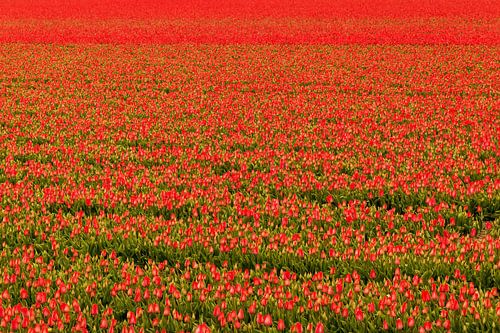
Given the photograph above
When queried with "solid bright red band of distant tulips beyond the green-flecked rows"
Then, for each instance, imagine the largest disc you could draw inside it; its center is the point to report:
(463, 22)
